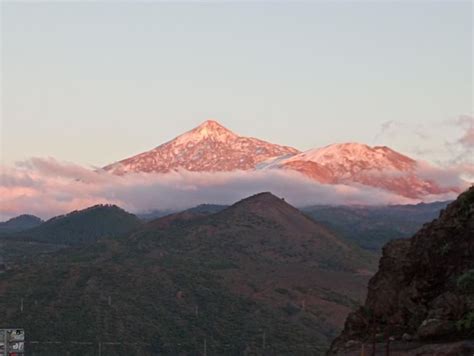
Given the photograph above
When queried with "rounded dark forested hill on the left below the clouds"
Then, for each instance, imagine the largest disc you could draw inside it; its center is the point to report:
(83, 226)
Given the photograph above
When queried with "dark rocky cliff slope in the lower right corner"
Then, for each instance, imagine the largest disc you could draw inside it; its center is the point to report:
(423, 293)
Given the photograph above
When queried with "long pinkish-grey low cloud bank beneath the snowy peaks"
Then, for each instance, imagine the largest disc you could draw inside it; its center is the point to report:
(46, 187)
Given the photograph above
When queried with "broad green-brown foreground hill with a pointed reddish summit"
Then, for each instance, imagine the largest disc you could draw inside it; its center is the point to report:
(256, 276)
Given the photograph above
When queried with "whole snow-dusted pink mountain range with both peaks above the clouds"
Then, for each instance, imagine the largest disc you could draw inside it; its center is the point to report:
(210, 147)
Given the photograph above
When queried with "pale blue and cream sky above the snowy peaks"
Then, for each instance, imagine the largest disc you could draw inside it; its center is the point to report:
(96, 82)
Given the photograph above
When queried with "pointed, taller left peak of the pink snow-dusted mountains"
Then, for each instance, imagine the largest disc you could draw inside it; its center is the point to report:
(210, 147)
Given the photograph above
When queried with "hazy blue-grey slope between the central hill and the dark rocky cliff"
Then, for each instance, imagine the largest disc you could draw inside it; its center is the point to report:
(371, 227)
